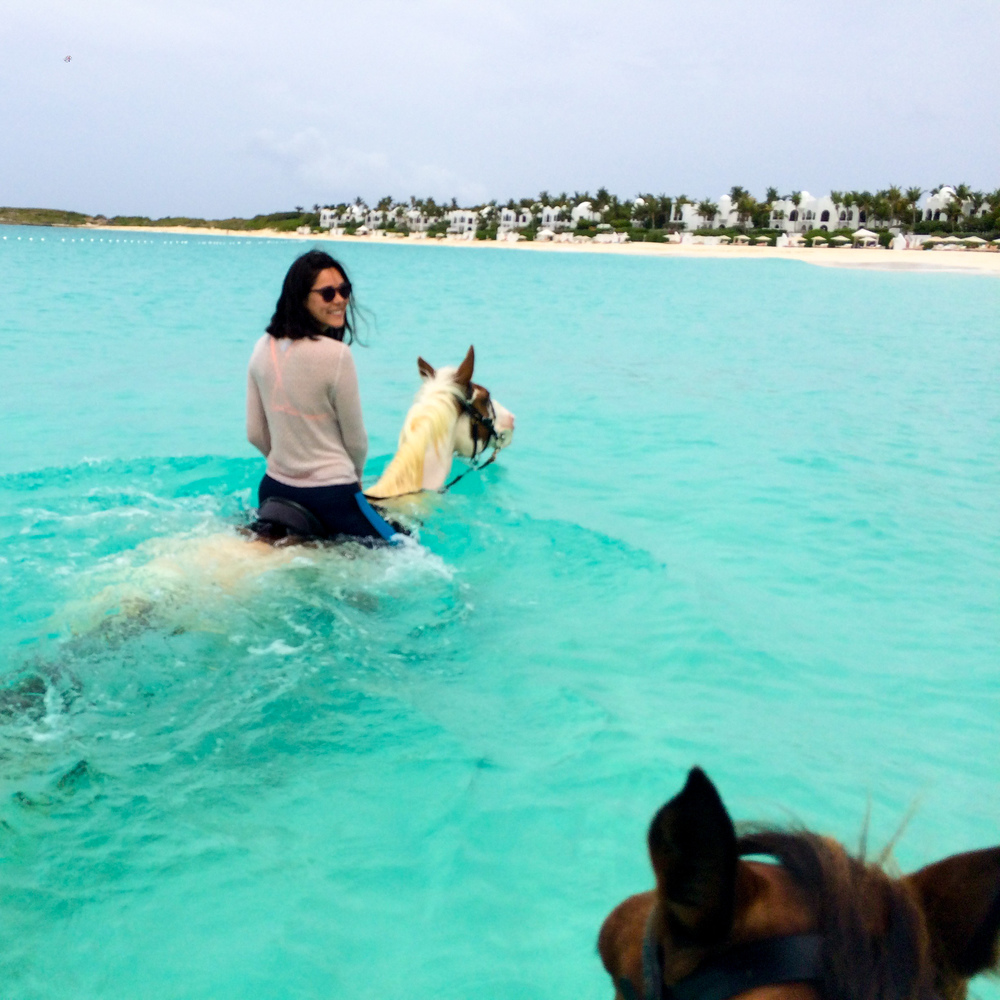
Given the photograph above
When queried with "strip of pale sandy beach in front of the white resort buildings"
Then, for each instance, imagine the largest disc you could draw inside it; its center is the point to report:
(941, 261)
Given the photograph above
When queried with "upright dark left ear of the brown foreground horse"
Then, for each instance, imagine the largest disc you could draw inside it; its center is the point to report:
(692, 845)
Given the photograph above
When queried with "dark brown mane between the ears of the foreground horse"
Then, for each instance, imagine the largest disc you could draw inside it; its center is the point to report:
(875, 941)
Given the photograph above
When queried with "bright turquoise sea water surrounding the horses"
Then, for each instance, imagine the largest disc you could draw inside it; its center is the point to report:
(750, 520)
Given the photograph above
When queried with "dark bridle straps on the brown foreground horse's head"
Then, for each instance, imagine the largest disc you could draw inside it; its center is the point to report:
(794, 958)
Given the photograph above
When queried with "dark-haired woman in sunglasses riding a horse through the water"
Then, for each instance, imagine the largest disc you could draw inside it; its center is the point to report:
(303, 405)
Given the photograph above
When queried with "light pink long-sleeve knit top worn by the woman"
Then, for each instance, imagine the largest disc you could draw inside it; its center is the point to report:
(304, 411)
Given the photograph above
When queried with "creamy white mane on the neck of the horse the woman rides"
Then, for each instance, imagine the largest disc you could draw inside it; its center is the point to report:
(428, 424)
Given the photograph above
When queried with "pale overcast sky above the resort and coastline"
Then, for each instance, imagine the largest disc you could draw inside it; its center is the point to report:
(216, 108)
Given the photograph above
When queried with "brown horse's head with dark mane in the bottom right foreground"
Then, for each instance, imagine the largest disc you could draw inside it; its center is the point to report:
(814, 922)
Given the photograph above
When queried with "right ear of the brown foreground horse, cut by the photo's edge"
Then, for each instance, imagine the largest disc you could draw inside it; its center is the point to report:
(961, 901)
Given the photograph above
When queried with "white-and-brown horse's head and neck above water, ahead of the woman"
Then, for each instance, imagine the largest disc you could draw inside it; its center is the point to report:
(451, 415)
